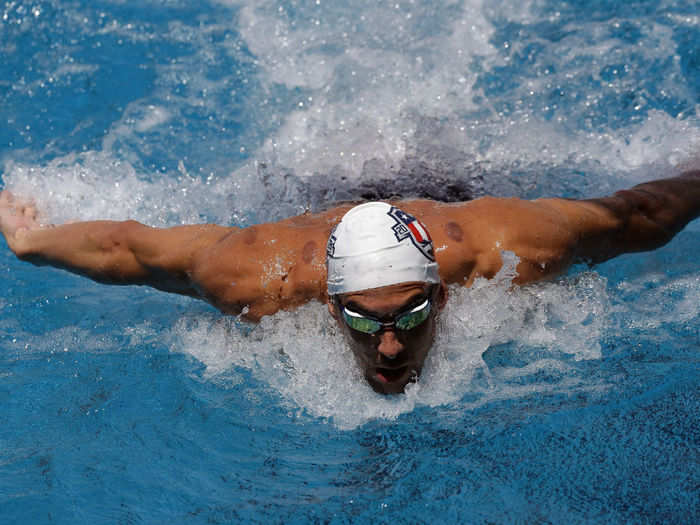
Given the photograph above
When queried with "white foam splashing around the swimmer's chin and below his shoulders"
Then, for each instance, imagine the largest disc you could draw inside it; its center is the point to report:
(314, 371)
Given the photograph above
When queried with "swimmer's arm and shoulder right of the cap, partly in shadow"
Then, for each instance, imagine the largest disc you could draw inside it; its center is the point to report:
(549, 235)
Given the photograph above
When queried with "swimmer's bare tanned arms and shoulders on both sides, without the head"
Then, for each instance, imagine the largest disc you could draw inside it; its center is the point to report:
(265, 268)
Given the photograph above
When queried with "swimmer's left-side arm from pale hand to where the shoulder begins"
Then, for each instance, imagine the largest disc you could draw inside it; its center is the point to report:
(107, 251)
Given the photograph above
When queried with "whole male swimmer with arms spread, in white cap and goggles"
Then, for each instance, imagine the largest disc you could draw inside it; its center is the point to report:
(382, 268)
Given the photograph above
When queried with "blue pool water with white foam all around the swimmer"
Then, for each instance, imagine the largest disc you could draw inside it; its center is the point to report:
(574, 401)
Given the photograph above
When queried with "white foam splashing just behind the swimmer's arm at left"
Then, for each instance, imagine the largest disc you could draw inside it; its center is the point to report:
(96, 185)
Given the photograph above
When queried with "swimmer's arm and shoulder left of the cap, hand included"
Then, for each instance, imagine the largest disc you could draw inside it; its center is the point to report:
(255, 271)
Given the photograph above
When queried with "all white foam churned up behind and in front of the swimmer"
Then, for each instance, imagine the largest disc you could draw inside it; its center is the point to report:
(374, 82)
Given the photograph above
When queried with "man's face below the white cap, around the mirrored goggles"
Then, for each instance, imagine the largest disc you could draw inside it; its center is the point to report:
(390, 358)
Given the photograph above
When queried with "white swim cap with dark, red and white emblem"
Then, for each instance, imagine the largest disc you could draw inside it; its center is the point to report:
(376, 244)
